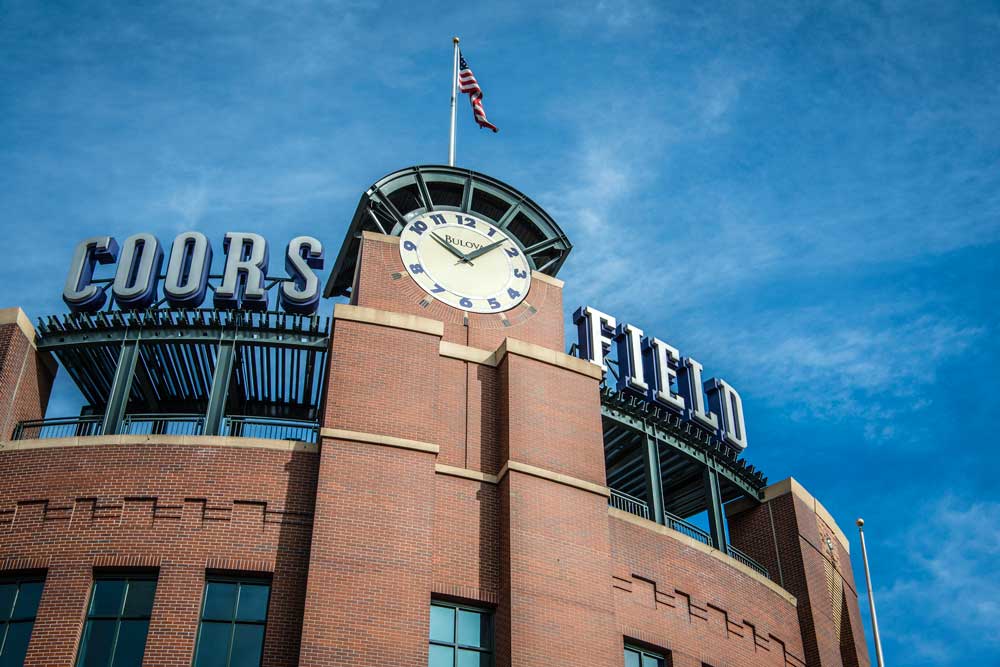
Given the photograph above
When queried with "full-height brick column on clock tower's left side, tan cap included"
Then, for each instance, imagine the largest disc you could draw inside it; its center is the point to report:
(371, 562)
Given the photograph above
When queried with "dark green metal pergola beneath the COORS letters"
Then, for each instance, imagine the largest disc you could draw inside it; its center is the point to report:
(202, 362)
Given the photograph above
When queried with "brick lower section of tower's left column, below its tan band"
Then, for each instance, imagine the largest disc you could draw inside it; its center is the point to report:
(371, 566)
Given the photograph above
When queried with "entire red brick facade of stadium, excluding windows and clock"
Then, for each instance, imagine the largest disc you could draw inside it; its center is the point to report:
(461, 459)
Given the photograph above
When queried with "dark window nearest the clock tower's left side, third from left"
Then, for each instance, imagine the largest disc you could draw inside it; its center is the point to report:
(233, 617)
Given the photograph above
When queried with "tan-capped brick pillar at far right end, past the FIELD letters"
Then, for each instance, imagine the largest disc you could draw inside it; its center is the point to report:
(796, 538)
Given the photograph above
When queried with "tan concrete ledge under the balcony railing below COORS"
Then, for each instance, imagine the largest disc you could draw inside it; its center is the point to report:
(183, 440)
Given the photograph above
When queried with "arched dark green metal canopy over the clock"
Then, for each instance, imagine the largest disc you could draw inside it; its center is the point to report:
(394, 200)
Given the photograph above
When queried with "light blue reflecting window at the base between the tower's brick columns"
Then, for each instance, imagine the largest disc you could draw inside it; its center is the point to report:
(460, 636)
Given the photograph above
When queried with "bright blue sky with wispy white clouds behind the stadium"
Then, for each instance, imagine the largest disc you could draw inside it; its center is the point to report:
(803, 196)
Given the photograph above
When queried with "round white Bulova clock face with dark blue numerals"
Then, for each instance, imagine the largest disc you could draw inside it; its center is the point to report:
(465, 262)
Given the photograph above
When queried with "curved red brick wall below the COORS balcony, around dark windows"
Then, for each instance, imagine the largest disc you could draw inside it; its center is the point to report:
(179, 508)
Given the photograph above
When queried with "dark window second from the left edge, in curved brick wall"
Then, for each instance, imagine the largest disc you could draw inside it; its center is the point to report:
(117, 621)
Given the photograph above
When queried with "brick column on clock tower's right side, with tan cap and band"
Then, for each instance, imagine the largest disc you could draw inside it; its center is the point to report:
(556, 606)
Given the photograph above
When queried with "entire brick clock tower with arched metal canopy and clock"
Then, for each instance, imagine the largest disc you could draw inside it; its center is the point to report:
(469, 442)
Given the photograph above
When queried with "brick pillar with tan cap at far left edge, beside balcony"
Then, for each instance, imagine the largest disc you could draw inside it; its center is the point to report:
(26, 375)
